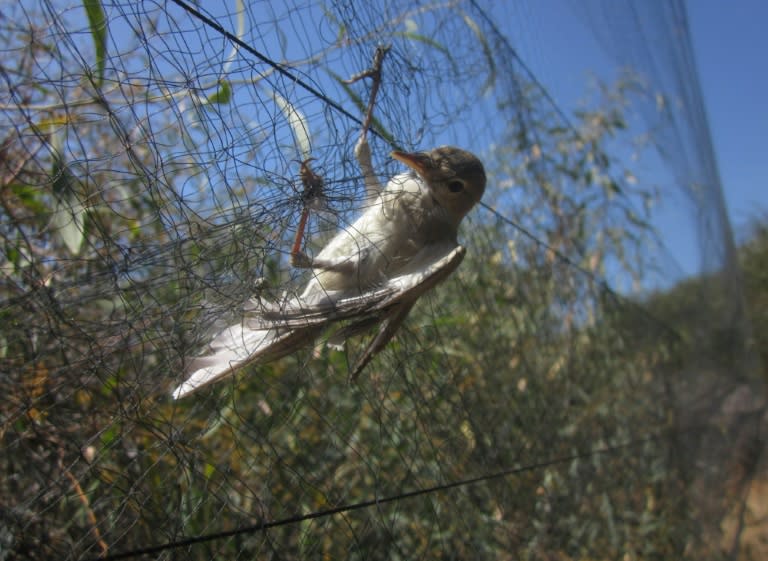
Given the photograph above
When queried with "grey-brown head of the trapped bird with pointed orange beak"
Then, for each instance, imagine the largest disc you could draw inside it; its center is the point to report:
(455, 177)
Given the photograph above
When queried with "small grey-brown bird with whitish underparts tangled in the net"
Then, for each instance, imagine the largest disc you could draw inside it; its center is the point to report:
(370, 274)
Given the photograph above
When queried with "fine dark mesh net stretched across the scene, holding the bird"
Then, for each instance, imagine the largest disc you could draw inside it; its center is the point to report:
(563, 395)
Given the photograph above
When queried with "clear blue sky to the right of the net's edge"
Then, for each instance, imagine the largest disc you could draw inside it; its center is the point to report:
(730, 45)
